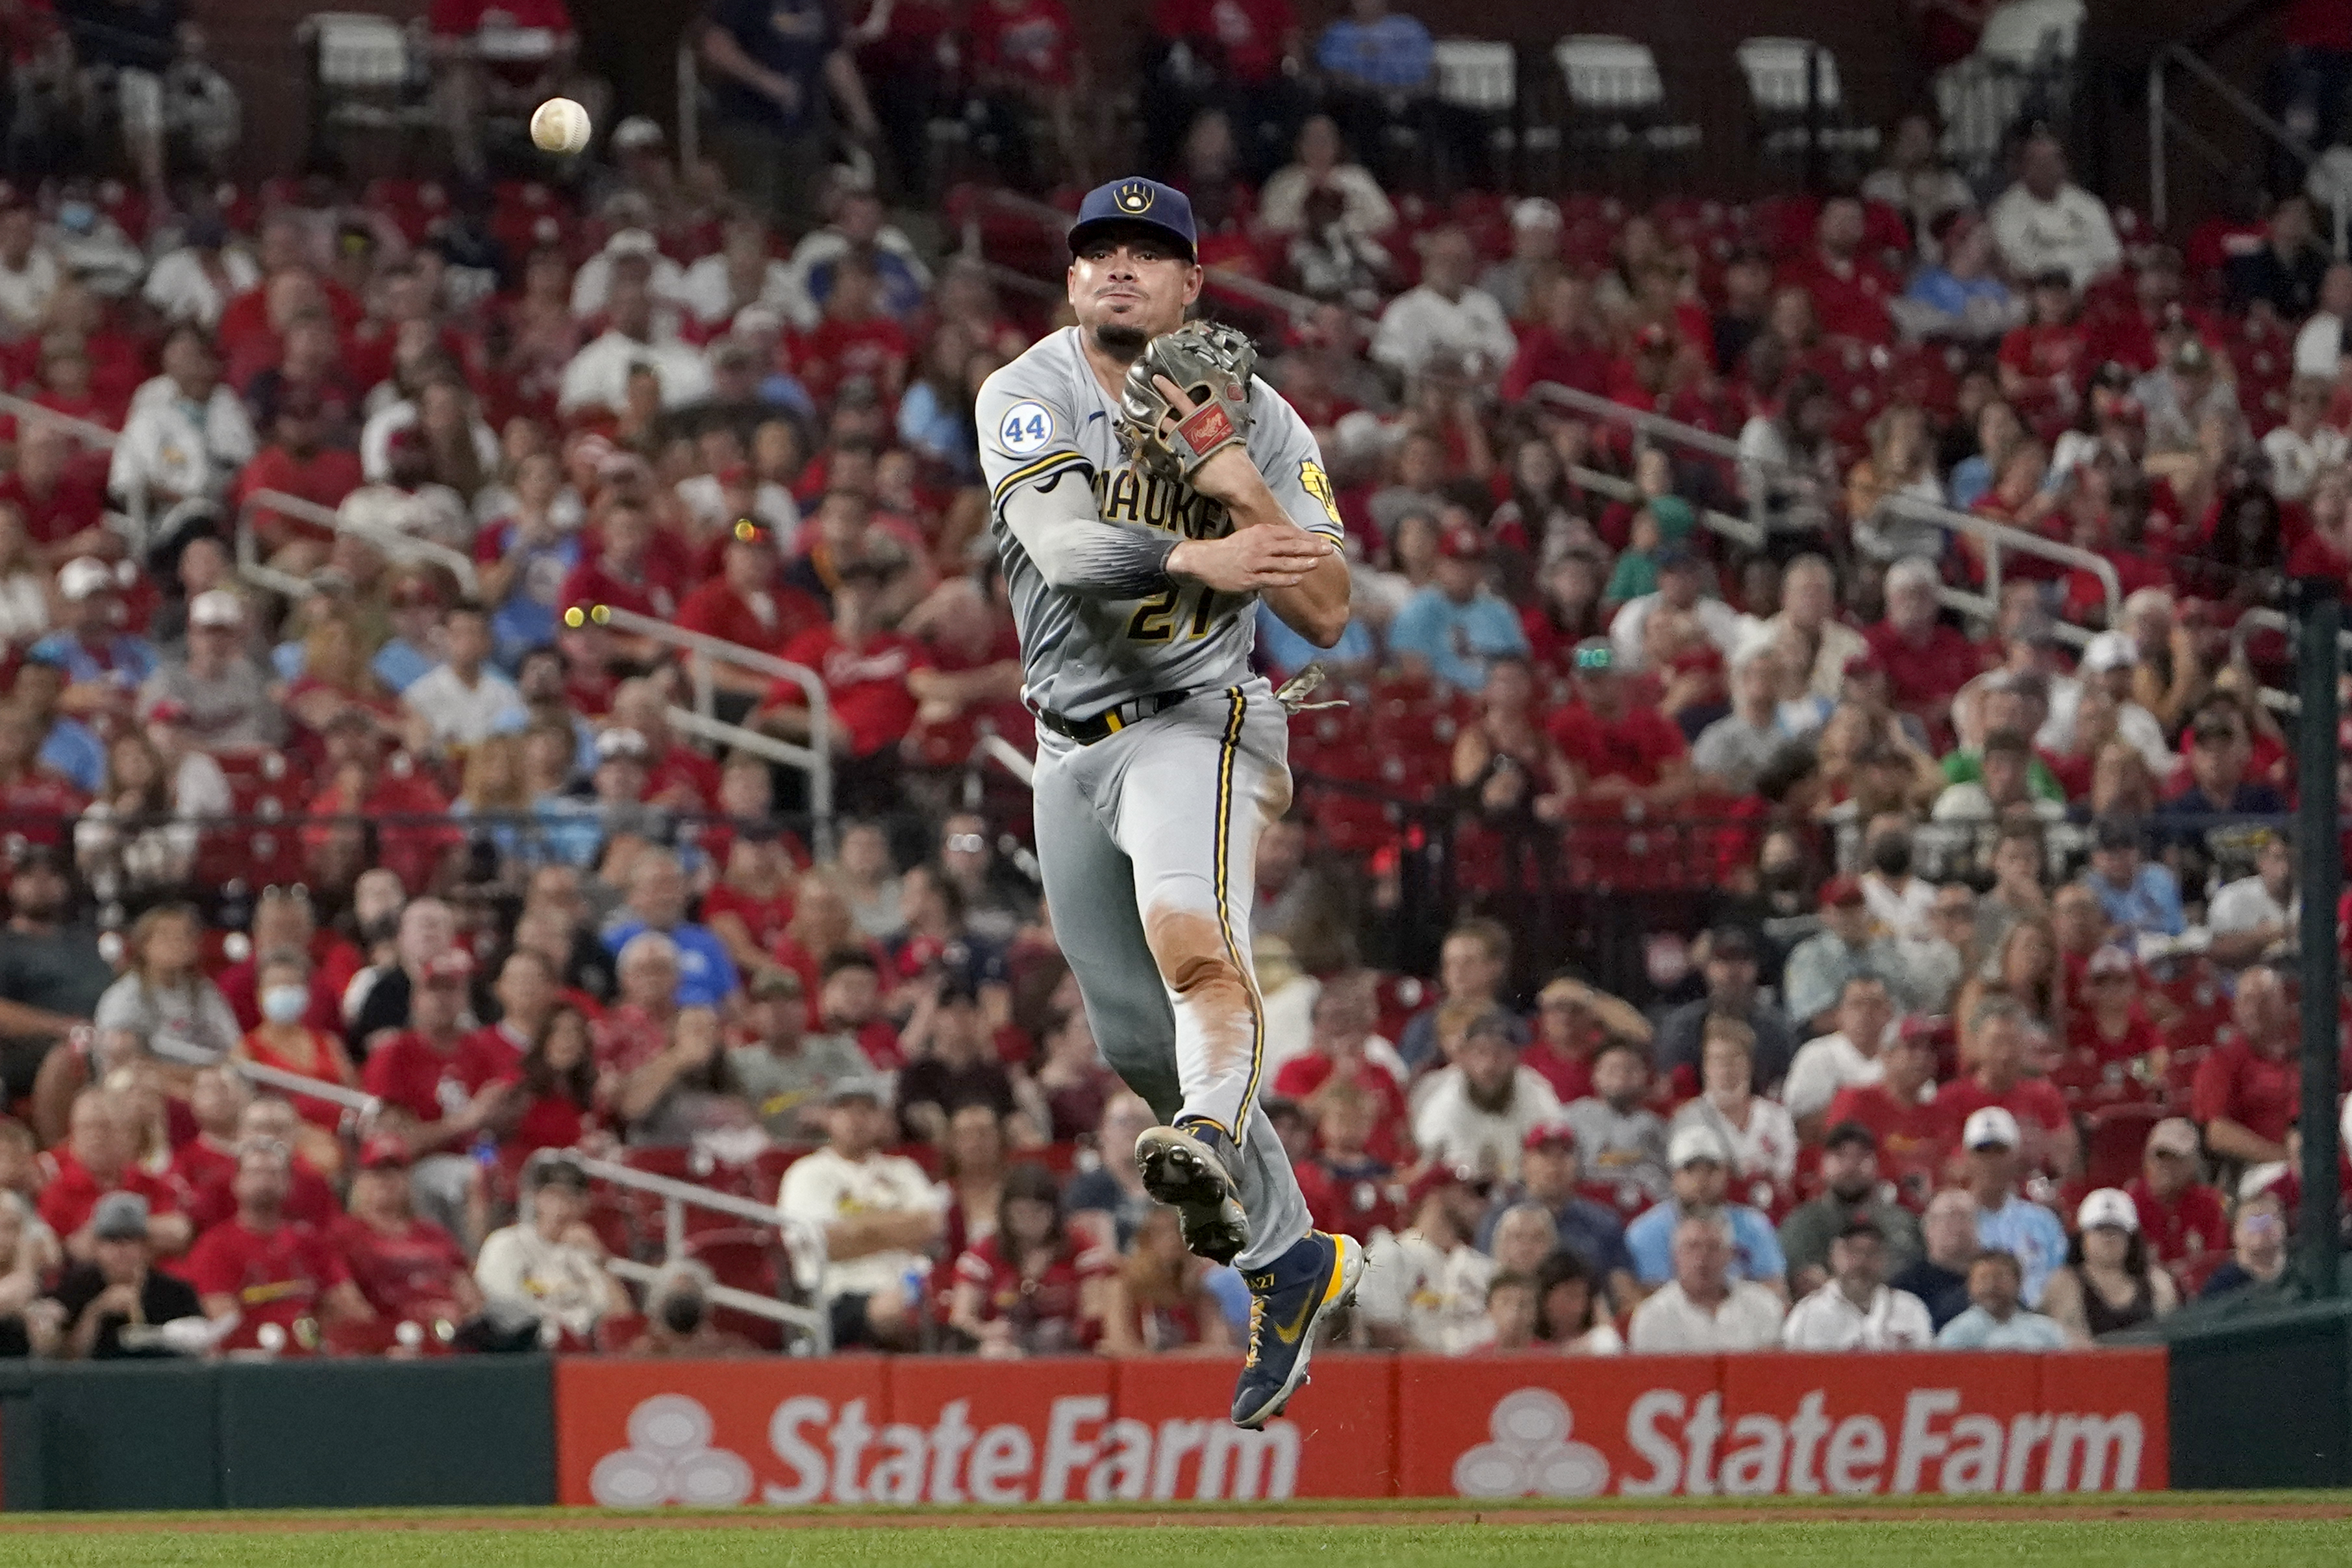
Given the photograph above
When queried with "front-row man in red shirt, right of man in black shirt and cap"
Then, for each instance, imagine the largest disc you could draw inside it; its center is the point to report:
(269, 1271)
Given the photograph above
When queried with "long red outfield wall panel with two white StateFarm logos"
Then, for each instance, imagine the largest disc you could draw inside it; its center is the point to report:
(1085, 1430)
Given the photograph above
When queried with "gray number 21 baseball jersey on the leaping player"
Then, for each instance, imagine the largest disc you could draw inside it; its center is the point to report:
(1048, 422)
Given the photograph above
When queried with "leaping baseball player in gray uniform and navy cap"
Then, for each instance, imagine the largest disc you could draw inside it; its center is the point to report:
(1147, 492)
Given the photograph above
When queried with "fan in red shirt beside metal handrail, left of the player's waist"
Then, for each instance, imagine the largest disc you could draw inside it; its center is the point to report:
(867, 681)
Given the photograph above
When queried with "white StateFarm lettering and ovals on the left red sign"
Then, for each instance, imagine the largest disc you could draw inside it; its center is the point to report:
(820, 1452)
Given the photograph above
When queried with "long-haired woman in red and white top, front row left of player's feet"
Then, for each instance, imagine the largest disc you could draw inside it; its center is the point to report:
(1031, 1289)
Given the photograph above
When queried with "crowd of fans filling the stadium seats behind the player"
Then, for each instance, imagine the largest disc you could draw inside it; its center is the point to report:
(1958, 1005)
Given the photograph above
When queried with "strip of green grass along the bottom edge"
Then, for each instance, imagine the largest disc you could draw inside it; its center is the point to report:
(2193, 1532)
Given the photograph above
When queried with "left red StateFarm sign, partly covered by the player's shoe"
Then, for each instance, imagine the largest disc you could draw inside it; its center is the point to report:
(961, 1430)
